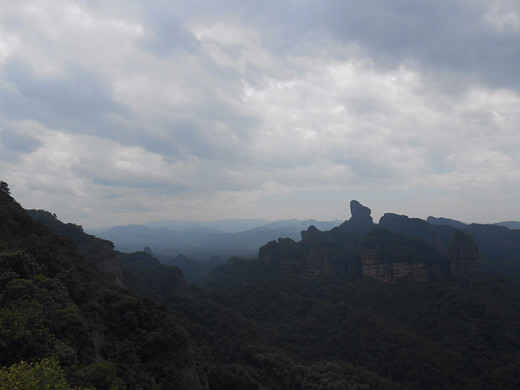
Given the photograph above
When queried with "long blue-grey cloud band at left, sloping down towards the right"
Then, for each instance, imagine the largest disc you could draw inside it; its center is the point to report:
(80, 101)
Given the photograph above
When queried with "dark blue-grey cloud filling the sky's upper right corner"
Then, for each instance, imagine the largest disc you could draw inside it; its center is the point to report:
(449, 35)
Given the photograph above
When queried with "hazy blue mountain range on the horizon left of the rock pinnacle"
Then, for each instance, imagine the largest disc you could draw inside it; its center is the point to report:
(203, 240)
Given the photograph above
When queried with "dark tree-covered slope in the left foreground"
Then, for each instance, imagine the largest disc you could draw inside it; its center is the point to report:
(63, 297)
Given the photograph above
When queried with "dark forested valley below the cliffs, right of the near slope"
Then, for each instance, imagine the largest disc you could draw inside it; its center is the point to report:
(456, 332)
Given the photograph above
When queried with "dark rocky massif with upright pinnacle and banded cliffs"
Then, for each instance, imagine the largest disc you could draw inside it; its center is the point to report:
(398, 247)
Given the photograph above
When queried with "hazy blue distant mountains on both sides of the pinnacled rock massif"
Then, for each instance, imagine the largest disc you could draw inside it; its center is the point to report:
(176, 242)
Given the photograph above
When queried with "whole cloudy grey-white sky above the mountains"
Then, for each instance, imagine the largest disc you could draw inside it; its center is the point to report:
(122, 112)
